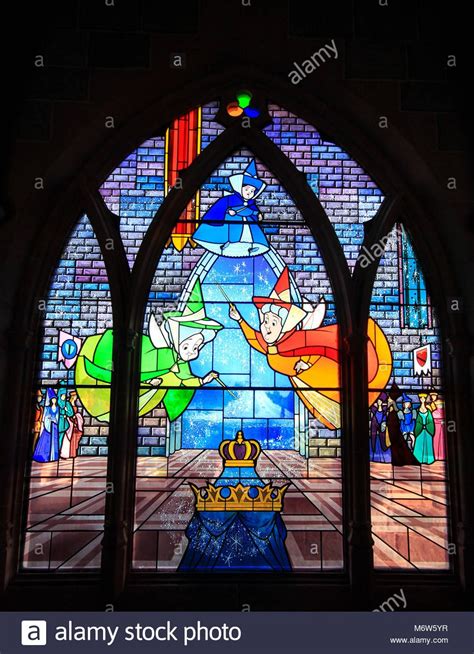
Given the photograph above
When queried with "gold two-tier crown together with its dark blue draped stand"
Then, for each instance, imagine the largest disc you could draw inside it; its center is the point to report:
(237, 523)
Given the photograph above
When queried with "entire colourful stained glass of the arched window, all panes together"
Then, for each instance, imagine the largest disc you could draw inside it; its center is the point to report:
(239, 410)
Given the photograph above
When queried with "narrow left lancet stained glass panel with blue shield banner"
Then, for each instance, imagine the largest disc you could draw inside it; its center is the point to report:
(67, 473)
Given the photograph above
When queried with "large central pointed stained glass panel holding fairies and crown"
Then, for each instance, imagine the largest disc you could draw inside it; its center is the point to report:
(251, 266)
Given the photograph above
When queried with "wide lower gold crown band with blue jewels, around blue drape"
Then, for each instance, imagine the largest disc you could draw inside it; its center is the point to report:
(239, 497)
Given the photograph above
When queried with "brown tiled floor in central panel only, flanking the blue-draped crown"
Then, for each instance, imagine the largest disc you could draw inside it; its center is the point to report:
(312, 507)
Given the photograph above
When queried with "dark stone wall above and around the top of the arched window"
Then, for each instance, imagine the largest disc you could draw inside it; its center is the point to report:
(112, 59)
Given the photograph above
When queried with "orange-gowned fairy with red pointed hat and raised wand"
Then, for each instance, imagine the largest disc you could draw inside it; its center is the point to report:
(295, 345)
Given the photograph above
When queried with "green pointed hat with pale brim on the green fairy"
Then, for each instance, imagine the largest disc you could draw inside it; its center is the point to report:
(193, 318)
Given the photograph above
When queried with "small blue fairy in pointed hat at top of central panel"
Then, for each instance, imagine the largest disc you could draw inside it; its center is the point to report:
(229, 227)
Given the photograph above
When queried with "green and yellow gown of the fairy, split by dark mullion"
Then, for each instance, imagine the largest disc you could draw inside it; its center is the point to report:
(94, 368)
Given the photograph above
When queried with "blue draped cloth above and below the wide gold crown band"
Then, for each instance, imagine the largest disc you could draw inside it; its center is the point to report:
(227, 541)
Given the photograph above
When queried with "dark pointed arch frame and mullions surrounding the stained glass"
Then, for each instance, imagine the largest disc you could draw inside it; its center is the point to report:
(417, 204)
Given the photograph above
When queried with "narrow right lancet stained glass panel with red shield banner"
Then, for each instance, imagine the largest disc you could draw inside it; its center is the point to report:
(407, 422)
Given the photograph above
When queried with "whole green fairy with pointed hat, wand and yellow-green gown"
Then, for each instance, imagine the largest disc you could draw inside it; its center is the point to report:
(165, 374)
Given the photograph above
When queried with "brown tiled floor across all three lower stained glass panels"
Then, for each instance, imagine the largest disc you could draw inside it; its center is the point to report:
(65, 520)
